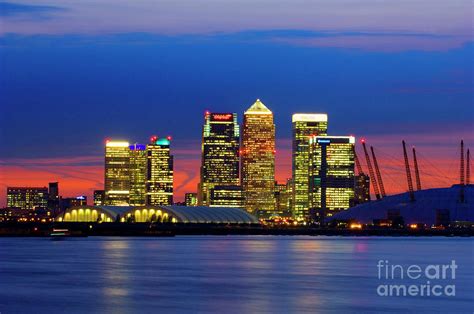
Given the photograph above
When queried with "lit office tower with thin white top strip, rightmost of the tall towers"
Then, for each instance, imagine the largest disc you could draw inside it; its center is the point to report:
(331, 175)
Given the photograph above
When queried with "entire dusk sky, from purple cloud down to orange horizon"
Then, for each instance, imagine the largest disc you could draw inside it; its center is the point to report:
(73, 73)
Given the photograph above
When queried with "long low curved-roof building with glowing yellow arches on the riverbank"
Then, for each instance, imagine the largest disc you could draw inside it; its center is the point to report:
(173, 214)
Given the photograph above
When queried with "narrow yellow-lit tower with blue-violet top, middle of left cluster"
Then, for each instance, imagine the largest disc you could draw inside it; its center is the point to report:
(138, 172)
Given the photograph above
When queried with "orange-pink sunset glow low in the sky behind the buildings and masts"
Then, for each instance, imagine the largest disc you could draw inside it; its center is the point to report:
(439, 167)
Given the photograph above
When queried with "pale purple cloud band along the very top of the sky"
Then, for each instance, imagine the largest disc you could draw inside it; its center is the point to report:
(374, 25)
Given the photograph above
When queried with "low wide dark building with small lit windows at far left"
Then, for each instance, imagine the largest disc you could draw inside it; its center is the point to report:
(27, 198)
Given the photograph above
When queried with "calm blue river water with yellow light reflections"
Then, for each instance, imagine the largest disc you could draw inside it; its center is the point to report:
(233, 274)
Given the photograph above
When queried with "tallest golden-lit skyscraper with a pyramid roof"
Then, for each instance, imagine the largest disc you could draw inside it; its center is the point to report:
(258, 159)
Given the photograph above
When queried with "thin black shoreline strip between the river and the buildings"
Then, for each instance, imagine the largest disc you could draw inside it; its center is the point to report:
(33, 229)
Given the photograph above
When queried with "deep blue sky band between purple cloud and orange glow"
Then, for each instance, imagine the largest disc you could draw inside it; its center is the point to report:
(80, 89)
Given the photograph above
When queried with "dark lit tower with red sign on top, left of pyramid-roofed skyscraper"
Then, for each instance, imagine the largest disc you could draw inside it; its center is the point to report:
(220, 154)
